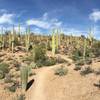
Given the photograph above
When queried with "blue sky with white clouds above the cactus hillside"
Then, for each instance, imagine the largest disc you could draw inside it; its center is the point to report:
(70, 16)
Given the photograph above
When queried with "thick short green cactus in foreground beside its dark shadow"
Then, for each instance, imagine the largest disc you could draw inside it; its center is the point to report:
(24, 77)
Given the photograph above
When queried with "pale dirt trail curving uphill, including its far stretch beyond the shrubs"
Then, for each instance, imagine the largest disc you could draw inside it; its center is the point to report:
(37, 91)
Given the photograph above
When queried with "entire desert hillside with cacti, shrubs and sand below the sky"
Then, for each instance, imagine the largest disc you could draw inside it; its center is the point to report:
(57, 67)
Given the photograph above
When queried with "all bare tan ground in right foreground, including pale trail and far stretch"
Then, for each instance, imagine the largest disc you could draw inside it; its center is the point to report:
(73, 86)
